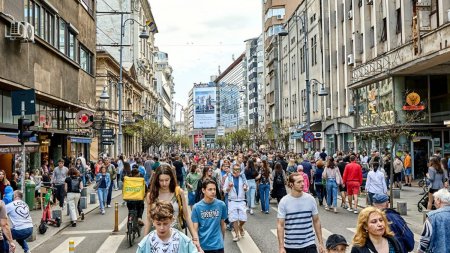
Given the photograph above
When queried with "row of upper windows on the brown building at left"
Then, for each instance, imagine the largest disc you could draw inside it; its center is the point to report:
(58, 33)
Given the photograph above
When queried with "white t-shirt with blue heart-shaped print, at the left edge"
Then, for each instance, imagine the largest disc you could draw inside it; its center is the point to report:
(19, 214)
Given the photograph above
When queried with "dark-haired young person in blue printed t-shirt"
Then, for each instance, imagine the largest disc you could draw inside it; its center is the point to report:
(207, 216)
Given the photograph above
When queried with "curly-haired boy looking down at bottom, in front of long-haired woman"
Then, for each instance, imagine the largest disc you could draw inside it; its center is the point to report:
(165, 238)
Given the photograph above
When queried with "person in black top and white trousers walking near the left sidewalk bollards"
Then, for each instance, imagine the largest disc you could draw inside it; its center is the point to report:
(73, 186)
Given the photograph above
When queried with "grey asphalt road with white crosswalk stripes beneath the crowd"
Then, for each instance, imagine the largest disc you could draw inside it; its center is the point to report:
(95, 233)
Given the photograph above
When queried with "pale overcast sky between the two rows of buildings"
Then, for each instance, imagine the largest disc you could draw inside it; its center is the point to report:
(200, 35)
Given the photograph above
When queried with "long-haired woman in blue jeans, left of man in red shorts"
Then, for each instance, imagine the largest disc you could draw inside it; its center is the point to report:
(333, 179)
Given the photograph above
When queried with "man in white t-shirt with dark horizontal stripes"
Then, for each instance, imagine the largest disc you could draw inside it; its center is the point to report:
(297, 215)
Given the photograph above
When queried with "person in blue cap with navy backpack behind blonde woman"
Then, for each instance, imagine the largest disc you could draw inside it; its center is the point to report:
(397, 224)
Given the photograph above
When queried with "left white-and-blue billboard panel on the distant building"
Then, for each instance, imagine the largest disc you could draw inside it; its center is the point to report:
(205, 107)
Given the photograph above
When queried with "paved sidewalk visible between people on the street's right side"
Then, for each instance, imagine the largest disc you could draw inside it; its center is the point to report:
(410, 195)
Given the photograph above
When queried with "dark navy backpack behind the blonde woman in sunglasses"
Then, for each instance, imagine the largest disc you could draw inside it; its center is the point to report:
(403, 234)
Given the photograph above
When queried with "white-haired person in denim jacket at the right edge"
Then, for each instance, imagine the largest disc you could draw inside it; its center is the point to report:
(435, 234)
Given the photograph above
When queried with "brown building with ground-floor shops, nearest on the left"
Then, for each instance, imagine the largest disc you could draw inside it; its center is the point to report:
(48, 46)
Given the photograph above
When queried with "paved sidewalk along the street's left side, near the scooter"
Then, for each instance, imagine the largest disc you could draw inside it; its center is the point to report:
(36, 215)
